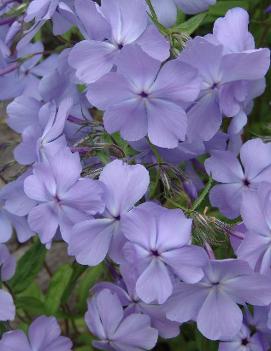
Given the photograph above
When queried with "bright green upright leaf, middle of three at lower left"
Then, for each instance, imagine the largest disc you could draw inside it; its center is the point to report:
(57, 287)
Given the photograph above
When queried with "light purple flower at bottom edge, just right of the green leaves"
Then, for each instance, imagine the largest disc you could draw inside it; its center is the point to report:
(115, 330)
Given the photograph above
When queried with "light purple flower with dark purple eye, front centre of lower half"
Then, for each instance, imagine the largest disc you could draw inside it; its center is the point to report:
(159, 245)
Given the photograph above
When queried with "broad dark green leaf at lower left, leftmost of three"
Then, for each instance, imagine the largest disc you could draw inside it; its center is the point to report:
(28, 267)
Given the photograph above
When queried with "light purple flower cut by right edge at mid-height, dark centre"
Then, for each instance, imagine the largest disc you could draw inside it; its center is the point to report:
(225, 168)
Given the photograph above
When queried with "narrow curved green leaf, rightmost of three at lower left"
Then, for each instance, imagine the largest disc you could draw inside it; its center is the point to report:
(88, 279)
